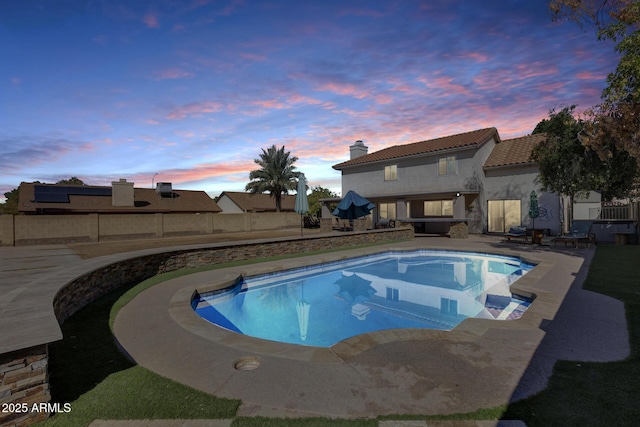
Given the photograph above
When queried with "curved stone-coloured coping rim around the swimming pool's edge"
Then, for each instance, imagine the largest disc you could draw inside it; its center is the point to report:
(181, 309)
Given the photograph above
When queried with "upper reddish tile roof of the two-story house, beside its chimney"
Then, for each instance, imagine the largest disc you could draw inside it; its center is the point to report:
(462, 140)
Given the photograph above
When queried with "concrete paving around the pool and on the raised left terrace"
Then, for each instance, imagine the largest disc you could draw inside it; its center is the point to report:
(477, 365)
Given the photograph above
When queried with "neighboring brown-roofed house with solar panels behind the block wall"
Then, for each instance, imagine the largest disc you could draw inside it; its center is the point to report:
(120, 197)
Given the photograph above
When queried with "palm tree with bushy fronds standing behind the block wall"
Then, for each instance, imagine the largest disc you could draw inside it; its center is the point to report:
(276, 174)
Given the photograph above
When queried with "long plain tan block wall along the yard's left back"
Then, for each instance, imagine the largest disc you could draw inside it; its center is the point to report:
(21, 230)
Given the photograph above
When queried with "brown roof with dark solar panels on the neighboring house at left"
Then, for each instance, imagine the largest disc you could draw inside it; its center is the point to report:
(97, 199)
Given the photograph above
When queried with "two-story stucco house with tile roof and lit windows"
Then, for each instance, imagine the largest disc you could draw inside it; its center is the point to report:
(474, 175)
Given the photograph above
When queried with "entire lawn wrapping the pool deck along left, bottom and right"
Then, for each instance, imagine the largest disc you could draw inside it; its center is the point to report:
(88, 370)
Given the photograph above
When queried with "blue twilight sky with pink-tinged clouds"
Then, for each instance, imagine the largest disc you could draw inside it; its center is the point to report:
(193, 89)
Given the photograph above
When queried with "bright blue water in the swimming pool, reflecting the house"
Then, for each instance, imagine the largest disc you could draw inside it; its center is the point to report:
(323, 305)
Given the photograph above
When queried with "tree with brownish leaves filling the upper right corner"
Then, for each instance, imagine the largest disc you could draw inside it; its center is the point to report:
(615, 123)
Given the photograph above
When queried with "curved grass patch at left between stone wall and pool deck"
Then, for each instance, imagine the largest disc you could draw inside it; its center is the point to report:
(88, 370)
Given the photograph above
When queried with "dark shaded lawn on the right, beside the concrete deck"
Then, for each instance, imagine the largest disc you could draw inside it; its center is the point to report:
(588, 393)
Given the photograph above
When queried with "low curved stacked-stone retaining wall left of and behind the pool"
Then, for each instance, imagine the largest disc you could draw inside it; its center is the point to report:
(24, 372)
